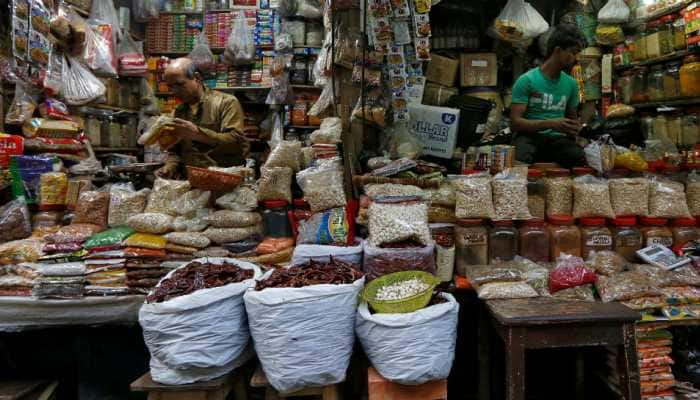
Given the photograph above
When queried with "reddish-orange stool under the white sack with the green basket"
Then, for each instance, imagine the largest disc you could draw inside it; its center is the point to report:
(383, 389)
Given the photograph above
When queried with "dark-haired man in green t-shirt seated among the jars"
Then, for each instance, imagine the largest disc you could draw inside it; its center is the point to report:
(544, 109)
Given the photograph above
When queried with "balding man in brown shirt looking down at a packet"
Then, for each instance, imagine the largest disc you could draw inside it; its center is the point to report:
(208, 123)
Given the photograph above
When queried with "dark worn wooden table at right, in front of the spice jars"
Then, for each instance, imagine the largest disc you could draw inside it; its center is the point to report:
(543, 323)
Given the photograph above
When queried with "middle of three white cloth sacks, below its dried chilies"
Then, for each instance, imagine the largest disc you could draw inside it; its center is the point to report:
(303, 336)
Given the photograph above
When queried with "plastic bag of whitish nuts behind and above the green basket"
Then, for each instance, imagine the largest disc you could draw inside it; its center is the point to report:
(398, 219)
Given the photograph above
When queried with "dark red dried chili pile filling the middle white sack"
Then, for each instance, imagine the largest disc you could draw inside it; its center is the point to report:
(314, 273)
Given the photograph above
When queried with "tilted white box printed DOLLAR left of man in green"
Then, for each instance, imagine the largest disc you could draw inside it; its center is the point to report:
(436, 128)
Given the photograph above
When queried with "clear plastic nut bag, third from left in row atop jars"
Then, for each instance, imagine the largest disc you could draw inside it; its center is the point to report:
(592, 197)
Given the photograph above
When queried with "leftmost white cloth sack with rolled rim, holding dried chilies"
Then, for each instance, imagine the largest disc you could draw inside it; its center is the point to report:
(199, 336)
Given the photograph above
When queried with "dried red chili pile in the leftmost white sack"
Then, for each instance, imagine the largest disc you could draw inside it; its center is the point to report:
(197, 276)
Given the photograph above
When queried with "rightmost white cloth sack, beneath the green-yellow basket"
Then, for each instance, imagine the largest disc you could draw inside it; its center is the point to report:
(411, 348)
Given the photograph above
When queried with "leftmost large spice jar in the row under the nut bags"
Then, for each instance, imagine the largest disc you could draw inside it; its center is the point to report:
(471, 244)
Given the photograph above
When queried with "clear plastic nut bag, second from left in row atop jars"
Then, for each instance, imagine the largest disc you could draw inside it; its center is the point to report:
(510, 196)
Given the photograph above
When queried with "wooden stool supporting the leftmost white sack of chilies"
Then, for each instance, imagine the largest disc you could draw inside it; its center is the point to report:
(216, 389)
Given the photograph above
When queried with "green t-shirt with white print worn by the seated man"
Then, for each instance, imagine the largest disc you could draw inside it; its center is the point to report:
(545, 98)
